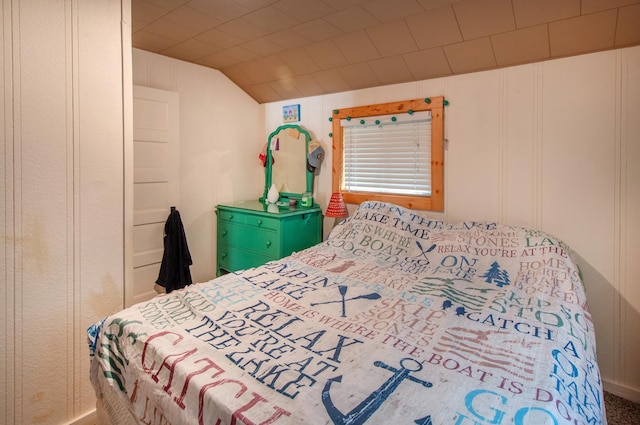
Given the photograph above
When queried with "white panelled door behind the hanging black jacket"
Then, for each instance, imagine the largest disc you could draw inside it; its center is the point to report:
(156, 170)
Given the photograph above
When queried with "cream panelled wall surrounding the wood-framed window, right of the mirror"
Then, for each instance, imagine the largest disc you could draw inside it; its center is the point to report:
(552, 145)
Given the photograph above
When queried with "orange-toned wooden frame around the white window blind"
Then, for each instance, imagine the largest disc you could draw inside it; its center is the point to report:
(434, 202)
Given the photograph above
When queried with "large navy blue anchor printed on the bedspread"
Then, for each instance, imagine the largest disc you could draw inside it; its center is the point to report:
(363, 411)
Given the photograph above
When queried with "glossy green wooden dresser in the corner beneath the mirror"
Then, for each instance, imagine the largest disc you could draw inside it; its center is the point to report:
(250, 234)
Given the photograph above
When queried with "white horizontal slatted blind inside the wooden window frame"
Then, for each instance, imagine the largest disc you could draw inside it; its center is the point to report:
(388, 154)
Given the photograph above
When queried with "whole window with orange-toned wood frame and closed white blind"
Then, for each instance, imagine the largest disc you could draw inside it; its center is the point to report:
(390, 152)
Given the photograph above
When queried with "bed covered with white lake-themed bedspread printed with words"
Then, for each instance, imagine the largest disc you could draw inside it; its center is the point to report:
(394, 319)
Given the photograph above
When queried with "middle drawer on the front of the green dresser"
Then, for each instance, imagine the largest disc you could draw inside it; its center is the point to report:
(265, 241)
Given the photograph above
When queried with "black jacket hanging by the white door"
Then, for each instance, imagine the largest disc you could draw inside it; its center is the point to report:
(176, 259)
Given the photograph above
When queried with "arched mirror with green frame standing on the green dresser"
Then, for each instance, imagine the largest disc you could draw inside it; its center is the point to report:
(286, 163)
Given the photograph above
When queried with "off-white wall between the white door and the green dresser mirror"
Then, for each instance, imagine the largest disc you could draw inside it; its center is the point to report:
(221, 131)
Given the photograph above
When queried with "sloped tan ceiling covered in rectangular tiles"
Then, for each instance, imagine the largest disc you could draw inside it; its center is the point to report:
(283, 49)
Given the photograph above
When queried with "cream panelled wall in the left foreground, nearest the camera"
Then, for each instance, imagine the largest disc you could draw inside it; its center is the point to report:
(62, 199)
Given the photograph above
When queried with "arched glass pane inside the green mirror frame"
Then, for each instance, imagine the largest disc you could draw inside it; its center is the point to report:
(289, 150)
